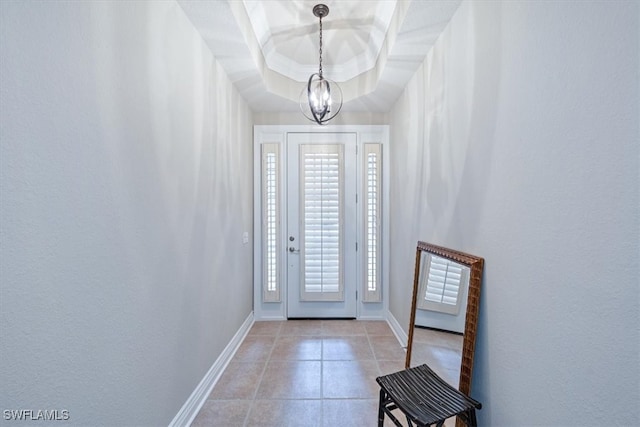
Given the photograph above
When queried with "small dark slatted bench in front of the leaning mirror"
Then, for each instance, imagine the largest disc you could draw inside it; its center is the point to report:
(424, 398)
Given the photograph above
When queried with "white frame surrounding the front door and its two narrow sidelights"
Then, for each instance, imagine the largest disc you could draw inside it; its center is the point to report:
(277, 134)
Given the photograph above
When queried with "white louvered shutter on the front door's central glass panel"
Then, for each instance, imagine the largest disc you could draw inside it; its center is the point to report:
(322, 218)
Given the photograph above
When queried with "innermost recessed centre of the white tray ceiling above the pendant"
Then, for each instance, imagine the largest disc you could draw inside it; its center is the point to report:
(353, 34)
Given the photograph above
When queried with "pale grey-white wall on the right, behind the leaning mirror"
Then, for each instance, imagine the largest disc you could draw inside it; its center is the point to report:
(518, 141)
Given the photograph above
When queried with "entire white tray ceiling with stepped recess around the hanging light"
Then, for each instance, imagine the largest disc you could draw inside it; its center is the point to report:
(270, 47)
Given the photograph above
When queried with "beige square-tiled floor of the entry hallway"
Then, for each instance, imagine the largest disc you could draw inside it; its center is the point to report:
(306, 373)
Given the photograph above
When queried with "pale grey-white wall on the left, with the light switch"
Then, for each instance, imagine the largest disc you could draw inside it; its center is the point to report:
(125, 185)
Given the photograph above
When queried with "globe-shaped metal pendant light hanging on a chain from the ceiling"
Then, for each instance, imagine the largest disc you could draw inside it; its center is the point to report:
(321, 99)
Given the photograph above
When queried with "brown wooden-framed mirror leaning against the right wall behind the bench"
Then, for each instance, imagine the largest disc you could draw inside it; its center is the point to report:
(444, 312)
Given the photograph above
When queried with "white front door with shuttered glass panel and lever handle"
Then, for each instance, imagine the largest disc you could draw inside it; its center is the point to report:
(321, 225)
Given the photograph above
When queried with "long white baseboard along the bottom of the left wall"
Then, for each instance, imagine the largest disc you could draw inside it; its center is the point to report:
(192, 406)
